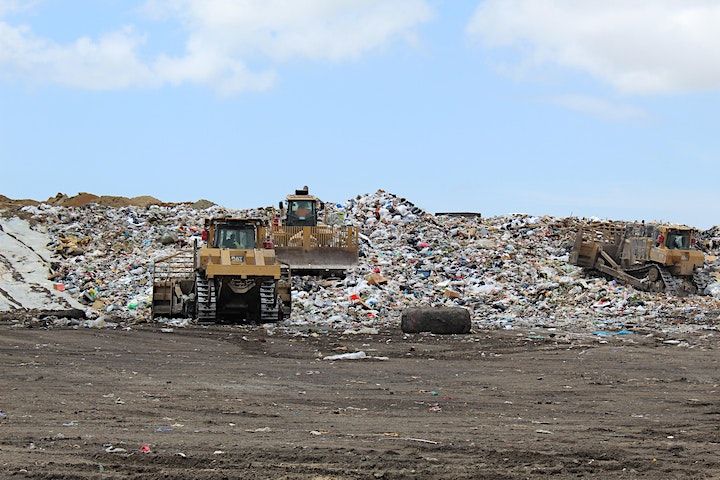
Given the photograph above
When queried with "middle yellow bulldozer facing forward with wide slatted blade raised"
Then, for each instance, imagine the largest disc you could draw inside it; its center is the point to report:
(311, 246)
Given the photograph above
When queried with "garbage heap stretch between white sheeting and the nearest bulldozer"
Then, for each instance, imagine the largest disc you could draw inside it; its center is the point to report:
(104, 255)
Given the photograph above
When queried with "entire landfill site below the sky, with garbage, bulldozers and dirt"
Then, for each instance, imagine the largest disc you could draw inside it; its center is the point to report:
(352, 338)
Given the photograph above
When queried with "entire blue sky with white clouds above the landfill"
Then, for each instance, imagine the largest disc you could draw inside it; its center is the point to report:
(498, 106)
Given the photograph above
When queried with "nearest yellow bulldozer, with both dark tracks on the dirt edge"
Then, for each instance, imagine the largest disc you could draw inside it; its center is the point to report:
(235, 277)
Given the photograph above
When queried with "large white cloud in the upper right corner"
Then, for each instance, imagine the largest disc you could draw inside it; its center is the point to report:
(638, 46)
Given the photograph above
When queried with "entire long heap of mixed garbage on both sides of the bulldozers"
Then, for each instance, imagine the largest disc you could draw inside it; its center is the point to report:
(510, 271)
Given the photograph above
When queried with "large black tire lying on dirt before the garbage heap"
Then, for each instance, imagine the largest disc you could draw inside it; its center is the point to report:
(439, 320)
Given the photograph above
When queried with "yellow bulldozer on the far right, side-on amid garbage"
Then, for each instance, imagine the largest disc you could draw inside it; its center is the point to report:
(659, 258)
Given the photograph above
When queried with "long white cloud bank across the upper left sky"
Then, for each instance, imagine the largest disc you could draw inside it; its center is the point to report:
(223, 38)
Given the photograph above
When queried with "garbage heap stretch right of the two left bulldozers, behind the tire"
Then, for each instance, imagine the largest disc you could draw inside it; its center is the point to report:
(508, 270)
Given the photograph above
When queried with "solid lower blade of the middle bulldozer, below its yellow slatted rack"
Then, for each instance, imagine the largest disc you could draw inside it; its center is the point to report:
(324, 260)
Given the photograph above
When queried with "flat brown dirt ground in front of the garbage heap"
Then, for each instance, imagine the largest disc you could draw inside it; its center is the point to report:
(234, 402)
